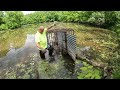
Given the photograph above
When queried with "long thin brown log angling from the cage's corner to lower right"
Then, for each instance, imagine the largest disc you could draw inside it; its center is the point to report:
(107, 70)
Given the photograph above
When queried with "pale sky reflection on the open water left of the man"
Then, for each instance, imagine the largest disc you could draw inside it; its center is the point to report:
(22, 54)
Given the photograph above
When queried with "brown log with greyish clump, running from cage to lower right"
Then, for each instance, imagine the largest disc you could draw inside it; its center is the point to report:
(82, 55)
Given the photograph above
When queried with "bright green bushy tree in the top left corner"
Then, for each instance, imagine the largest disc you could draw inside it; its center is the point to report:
(11, 20)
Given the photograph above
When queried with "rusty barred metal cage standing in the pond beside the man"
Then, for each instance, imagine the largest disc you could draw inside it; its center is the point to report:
(65, 39)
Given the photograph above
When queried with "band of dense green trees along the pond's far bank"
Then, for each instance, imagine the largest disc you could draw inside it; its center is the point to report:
(104, 19)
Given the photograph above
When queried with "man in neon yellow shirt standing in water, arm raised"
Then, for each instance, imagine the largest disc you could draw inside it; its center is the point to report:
(41, 41)
